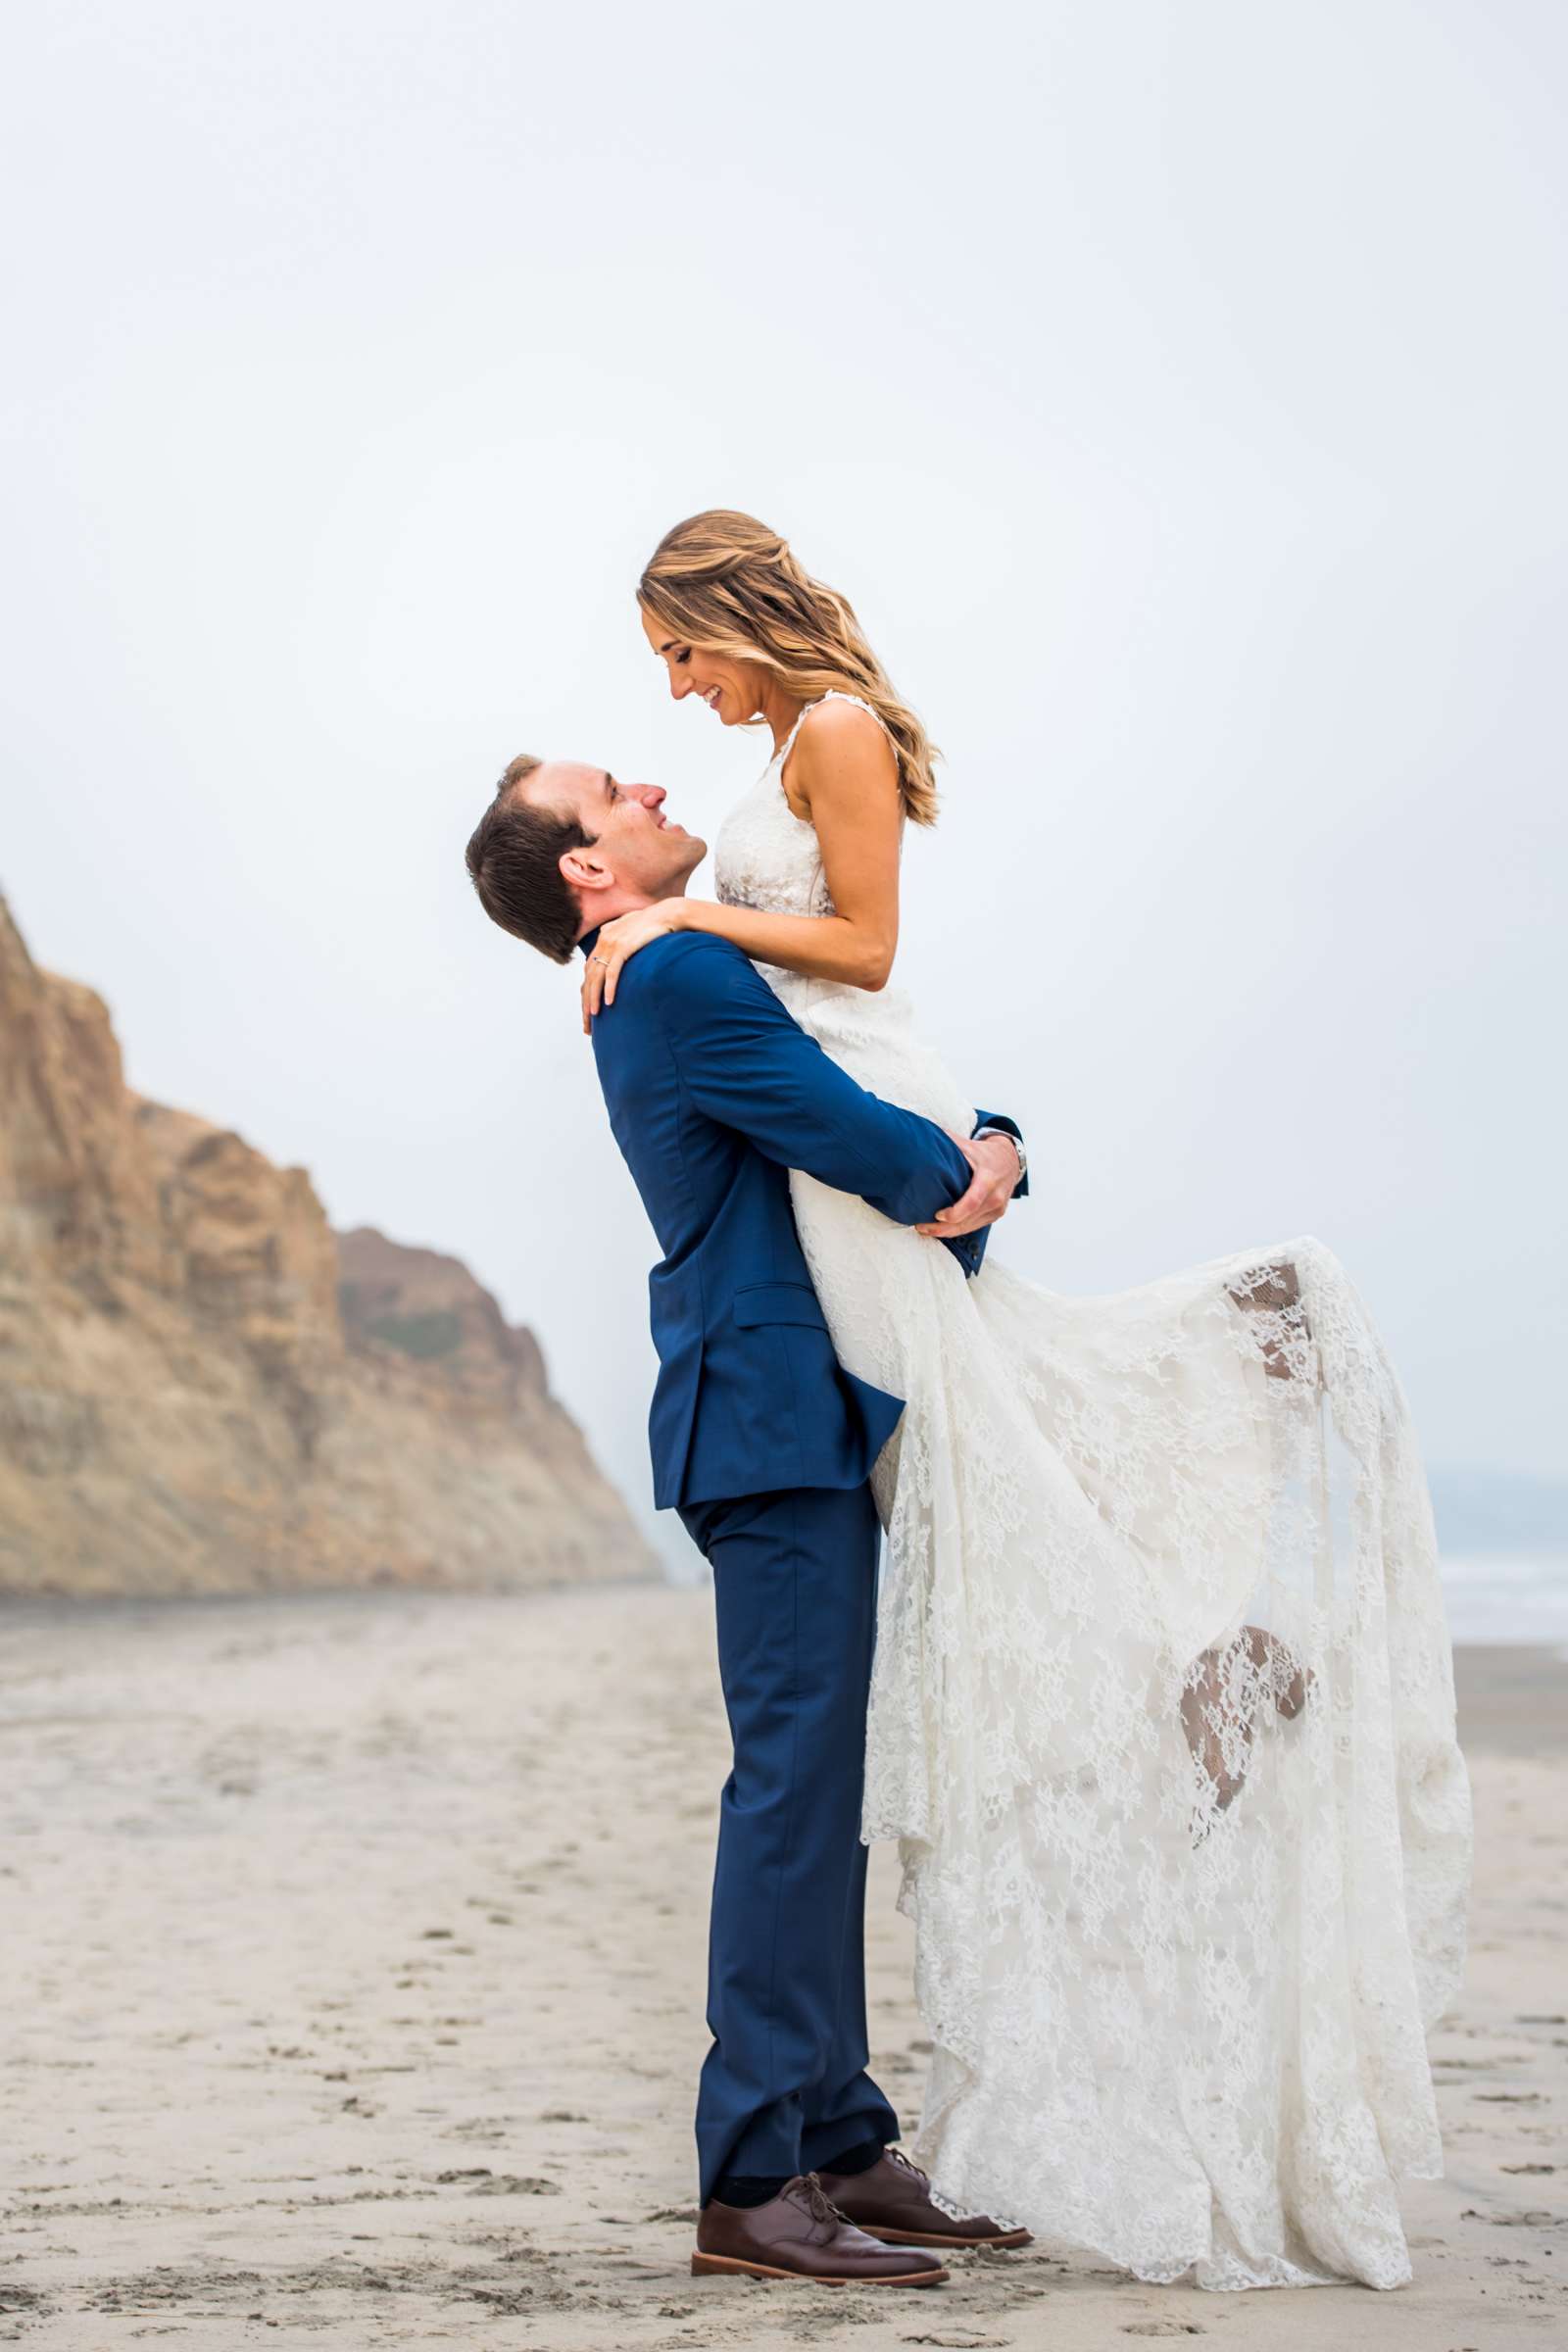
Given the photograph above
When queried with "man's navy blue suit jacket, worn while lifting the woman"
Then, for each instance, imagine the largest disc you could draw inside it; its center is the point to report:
(713, 1097)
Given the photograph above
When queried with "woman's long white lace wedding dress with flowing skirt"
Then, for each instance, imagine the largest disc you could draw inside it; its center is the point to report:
(1162, 1713)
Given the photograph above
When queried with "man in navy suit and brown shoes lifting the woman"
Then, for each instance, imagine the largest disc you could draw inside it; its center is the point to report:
(765, 1445)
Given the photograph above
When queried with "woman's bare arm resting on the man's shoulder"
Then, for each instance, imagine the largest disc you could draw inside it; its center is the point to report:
(845, 782)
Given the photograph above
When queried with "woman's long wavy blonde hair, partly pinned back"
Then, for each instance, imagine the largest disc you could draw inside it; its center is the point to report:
(728, 584)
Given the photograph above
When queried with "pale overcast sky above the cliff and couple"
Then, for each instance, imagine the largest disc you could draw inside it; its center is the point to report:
(1177, 392)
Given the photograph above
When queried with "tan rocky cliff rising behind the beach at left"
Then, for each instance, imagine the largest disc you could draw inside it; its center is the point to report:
(203, 1389)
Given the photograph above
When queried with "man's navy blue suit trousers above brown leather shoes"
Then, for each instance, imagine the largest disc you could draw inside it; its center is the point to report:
(784, 2085)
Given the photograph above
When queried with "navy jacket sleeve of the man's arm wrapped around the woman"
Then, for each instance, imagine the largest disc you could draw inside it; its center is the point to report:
(749, 1067)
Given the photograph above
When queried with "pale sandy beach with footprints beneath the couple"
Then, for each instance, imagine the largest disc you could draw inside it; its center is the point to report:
(354, 1963)
